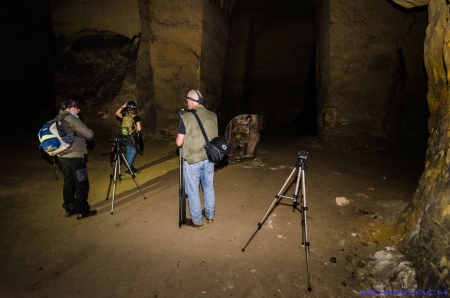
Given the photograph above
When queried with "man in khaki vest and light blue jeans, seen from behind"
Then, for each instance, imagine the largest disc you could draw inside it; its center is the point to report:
(196, 166)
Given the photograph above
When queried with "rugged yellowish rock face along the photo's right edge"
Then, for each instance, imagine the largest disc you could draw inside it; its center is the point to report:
(425, 224)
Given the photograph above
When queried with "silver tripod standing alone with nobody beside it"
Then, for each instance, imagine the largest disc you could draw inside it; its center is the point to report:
(300, 168)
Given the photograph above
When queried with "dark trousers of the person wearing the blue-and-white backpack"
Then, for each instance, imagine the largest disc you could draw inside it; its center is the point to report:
(76, 184)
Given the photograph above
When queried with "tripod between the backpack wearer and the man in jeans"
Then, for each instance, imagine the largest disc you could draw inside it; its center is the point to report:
(116, 154)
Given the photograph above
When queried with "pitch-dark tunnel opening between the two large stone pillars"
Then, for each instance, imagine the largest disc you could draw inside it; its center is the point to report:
(270, 65)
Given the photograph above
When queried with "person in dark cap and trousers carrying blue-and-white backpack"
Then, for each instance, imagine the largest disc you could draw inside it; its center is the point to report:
(73, 162)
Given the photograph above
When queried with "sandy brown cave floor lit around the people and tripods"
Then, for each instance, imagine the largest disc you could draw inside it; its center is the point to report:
(140, 251)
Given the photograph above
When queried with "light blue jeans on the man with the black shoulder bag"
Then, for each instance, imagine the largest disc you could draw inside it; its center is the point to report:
(202, 171)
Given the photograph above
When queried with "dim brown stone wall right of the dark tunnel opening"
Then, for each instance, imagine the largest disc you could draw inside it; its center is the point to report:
(371, 94)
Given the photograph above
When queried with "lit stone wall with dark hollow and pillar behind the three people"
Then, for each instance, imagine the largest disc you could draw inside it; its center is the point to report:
(146, 51)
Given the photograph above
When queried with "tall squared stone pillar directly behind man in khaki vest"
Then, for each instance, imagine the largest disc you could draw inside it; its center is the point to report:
(187, 51)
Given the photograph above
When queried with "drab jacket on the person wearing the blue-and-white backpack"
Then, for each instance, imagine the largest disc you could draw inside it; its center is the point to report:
(74, 126)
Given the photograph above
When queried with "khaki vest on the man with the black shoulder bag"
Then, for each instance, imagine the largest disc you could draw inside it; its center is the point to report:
(194, 142)
